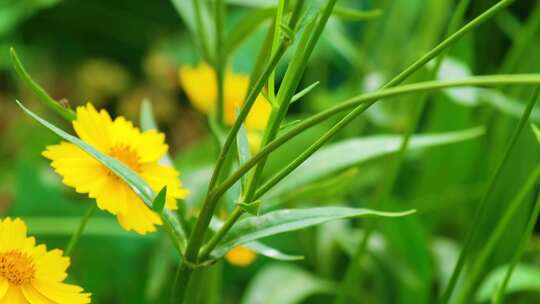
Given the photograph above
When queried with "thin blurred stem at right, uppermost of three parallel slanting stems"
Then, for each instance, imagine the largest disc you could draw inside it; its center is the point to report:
(480, 210)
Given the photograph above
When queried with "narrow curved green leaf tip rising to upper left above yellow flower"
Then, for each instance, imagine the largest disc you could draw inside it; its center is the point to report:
(38, 90)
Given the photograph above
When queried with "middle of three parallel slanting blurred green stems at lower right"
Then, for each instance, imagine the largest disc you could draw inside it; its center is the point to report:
(494, 238)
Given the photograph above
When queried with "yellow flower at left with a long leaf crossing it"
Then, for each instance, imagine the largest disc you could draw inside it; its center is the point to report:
(138, 150)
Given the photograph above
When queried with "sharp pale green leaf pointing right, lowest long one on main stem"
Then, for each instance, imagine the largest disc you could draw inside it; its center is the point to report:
(285, 220)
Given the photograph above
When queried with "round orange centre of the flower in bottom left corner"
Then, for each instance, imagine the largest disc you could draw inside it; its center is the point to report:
(17, 267)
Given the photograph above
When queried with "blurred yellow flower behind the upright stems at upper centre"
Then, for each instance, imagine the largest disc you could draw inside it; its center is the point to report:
(201, 88)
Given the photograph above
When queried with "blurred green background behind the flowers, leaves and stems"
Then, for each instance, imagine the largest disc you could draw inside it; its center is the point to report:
(116, 53)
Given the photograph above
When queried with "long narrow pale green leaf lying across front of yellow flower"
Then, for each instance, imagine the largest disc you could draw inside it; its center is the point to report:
(139, 186)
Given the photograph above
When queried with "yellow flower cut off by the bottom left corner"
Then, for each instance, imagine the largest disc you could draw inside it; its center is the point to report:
(30, 273)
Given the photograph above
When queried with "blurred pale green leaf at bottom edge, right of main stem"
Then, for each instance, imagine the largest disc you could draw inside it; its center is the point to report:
(285, 284)
